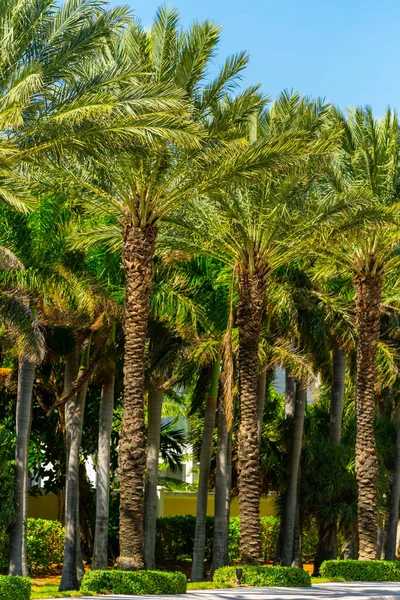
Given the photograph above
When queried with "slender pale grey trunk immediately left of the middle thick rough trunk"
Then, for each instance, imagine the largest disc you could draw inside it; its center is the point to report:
(220, 555)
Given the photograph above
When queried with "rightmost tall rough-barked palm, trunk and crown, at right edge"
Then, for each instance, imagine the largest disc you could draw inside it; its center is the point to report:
(364, 245)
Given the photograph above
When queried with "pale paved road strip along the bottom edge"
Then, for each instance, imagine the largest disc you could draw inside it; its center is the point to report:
(323, 591)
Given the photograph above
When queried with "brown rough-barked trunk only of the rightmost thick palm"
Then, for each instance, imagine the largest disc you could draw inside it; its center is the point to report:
(368, 301)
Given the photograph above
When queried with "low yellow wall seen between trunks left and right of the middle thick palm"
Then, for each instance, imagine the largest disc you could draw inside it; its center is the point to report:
(184, 503)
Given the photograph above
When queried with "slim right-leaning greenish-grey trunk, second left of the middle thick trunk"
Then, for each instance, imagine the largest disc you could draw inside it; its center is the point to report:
(204, 475)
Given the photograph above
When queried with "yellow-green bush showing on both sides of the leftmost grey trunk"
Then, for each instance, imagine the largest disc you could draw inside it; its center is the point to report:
(45, 545)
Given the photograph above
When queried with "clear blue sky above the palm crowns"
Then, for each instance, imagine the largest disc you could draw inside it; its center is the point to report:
(347, 51)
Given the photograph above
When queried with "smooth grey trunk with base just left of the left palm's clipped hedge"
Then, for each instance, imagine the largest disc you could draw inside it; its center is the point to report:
(72, 570)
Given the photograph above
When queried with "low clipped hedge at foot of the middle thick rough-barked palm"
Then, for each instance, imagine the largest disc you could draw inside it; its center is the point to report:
(265, 576)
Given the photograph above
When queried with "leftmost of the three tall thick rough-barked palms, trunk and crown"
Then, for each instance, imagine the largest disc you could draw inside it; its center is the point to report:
(142, 189)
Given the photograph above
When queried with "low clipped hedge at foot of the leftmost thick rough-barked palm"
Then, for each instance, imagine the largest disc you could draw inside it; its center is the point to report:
(134, 582)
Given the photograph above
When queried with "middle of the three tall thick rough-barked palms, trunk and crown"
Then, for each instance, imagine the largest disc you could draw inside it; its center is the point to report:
(245, 228)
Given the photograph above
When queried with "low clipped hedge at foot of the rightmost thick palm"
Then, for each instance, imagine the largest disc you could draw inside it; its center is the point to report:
(361, 570)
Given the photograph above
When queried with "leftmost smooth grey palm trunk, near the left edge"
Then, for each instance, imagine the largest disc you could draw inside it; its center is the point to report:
(18, 557)
